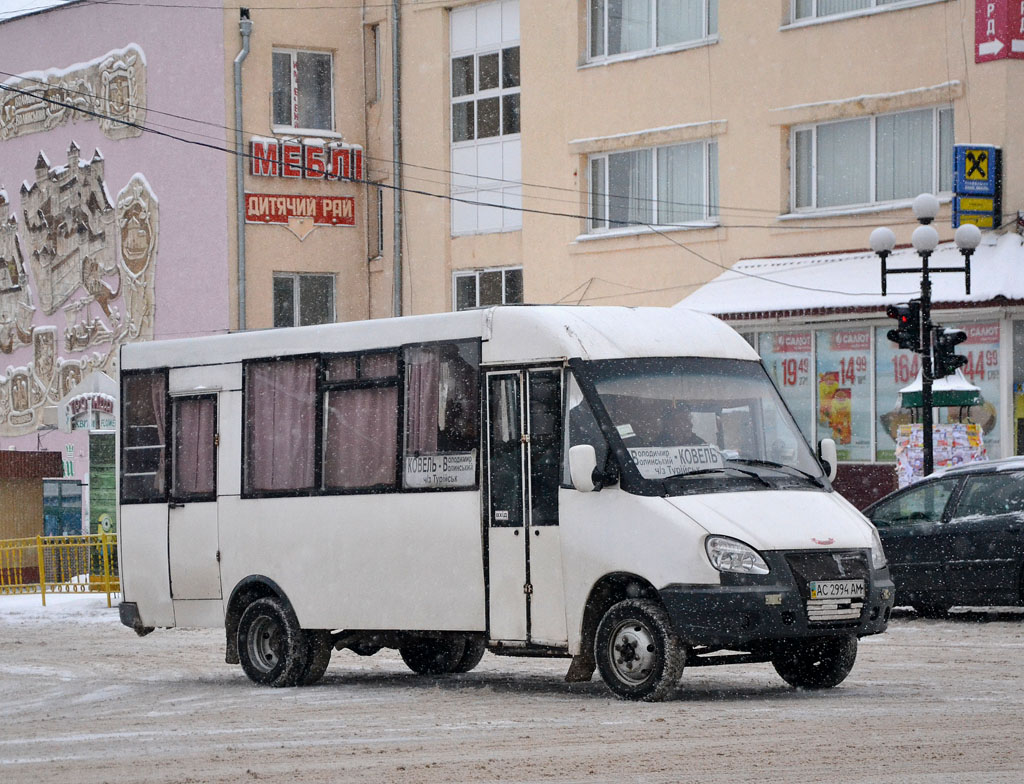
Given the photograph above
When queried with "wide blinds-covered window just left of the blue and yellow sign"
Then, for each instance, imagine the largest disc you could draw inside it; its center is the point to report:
(883, 158)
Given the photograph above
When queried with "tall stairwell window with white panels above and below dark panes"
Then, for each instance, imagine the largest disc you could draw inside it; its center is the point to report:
(486, 149)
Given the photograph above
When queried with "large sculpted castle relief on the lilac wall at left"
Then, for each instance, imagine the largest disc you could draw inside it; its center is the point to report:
(93, 268)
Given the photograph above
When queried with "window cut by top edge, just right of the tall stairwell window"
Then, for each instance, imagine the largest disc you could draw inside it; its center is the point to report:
(624, 27)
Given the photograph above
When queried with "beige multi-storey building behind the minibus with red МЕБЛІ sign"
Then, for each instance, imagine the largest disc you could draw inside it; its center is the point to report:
(632, 152)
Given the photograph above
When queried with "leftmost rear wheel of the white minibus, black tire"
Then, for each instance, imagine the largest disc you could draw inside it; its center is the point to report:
(273, 649)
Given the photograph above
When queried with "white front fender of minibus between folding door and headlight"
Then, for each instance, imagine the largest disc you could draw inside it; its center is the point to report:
(613, 532)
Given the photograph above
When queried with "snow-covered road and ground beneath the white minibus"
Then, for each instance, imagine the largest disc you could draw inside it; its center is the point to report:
(83, 700)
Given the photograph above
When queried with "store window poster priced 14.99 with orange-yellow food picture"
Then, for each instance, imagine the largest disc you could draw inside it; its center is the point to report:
(843, 385)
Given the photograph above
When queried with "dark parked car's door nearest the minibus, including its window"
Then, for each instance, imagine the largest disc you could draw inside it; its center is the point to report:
(912, 527)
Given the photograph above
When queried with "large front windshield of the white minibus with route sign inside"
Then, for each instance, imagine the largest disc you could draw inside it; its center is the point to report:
(700, 417)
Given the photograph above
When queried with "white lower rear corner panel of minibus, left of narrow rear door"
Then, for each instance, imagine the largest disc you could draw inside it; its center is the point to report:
(143, 546)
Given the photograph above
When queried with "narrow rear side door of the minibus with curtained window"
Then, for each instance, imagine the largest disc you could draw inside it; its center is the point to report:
(192, 525)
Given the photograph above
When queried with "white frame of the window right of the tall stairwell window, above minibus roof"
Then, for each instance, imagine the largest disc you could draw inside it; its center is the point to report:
(710, 192)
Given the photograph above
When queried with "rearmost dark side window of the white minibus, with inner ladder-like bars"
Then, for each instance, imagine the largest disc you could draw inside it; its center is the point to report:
(144, 475)
